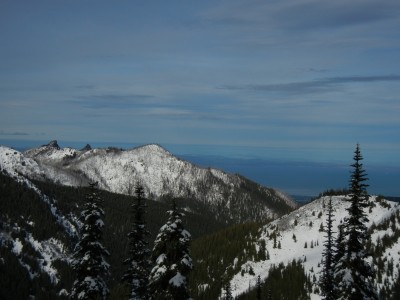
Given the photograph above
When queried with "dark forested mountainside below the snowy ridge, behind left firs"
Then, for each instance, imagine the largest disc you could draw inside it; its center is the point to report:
(38, 223)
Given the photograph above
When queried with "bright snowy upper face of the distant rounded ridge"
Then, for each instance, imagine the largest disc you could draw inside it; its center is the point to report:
(118, 171)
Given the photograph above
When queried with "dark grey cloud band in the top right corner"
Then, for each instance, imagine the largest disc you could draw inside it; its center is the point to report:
(300, 15)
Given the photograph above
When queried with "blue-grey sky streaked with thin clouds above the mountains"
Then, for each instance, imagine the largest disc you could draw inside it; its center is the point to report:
(287, 79)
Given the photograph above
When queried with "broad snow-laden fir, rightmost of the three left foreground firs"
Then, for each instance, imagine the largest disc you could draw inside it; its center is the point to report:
(169, 276)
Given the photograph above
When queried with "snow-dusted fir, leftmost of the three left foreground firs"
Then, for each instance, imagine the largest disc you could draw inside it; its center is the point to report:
(89, 254)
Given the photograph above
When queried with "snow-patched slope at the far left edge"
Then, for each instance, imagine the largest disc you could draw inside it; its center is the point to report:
(15, 234)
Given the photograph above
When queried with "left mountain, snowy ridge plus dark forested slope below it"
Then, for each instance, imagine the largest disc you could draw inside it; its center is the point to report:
(43, 191)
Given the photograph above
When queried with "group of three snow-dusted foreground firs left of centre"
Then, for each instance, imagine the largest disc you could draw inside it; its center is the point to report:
(170, 256)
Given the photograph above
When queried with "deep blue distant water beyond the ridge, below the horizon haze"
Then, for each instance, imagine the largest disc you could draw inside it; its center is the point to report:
(304, 180)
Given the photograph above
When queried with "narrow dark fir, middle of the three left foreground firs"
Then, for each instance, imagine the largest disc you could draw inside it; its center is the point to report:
(138, 262)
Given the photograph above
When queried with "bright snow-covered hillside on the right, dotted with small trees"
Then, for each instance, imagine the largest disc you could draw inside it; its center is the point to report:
(302, 227)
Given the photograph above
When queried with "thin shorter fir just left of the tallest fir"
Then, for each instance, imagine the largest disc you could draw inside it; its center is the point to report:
(327, 282)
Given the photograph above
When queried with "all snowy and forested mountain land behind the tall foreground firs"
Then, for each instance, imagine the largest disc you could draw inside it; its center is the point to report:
(246, 241)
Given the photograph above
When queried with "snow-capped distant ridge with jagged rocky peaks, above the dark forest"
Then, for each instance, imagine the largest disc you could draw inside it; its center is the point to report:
(161, 173)
